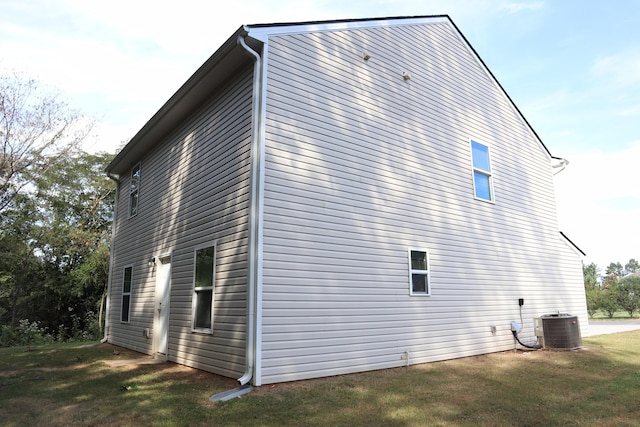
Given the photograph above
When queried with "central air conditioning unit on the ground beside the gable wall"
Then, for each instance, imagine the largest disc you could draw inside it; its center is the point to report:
(560, 330)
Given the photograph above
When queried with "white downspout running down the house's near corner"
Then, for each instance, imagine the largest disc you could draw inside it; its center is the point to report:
(254, 220)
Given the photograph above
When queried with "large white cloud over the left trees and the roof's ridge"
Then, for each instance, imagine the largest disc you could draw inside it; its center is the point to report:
(120, 61)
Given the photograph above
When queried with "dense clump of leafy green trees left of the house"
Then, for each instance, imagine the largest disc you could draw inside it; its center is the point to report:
(58, 236)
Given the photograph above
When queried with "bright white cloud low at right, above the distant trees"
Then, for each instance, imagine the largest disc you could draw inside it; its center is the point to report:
(599, 204)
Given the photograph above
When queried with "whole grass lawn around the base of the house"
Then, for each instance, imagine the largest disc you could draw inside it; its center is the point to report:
(72, 385)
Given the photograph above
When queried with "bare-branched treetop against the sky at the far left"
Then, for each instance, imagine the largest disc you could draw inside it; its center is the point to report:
(37, 129)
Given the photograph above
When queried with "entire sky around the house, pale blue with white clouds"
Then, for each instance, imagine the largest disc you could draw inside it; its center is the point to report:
(572, 67)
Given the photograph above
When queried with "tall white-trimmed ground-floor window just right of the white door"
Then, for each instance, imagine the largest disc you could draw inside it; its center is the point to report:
(203, 288)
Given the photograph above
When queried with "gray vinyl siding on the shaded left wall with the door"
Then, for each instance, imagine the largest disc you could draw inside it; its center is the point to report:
(194, 189)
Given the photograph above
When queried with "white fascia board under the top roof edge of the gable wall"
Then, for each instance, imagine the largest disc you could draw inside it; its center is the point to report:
(263, 33)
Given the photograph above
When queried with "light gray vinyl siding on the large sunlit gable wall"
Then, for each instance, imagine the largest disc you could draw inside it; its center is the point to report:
(361, 165)
